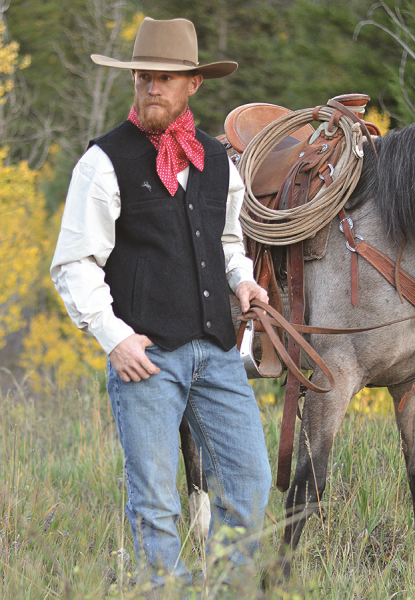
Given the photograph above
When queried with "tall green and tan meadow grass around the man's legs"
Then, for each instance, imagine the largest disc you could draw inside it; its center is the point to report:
(62, 498)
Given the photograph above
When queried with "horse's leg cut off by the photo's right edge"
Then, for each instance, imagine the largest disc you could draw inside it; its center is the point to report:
(405, 419)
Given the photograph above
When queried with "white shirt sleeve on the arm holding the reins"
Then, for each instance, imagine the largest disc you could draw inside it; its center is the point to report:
(238, 267)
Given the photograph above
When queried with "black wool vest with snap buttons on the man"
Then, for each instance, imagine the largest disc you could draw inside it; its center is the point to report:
(167, 270)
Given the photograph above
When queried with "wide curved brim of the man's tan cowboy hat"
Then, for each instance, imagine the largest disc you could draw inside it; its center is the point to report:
(209, 71)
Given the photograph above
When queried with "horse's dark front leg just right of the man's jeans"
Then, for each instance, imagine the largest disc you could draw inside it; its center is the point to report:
(321, 419)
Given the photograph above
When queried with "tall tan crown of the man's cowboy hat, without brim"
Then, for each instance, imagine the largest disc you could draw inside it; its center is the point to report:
(172, 40)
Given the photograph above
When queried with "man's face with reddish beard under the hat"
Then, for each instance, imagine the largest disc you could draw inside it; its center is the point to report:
(162, 97)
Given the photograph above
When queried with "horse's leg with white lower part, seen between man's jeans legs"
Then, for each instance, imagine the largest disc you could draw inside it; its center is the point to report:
(196, 484)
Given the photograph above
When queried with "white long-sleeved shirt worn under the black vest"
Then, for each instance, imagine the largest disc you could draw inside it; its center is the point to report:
(87, 238)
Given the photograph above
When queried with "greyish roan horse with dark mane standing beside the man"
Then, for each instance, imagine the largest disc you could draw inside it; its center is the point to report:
(383, 211)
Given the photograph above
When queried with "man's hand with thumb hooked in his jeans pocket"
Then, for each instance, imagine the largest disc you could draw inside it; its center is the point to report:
(130, 360)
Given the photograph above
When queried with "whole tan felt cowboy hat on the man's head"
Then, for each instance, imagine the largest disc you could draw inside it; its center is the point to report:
(167, 46)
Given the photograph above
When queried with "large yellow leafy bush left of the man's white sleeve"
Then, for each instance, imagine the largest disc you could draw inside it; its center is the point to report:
(54, 351)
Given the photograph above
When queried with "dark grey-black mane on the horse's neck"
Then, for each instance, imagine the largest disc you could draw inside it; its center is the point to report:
(390, 182)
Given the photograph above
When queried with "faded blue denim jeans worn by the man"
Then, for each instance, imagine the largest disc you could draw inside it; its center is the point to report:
(210, 387)
